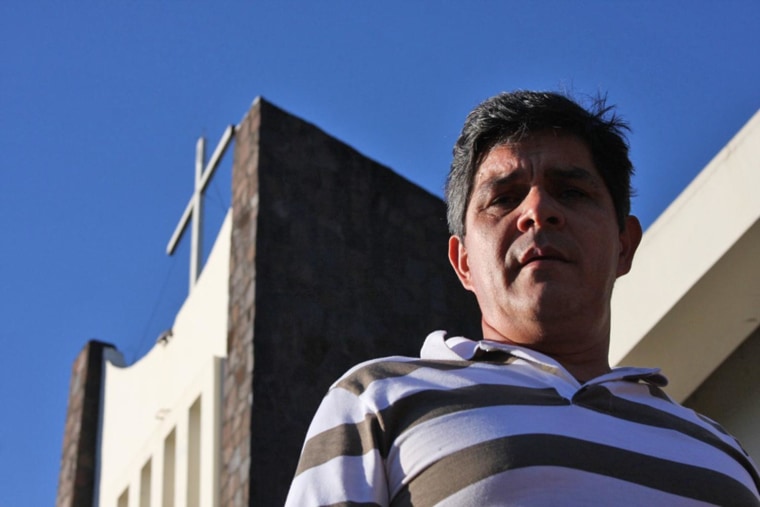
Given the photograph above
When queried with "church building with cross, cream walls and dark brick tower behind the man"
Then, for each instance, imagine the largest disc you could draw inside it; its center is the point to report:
(326, 258)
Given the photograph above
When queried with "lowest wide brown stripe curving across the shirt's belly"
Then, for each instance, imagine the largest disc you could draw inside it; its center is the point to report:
(468, 466)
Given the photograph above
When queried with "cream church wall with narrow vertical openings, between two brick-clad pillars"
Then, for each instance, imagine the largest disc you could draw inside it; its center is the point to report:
(160, 432)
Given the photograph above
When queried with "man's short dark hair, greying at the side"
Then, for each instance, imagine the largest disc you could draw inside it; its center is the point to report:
(510, 117)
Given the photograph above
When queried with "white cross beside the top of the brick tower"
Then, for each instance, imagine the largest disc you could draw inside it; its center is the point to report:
(194, 209)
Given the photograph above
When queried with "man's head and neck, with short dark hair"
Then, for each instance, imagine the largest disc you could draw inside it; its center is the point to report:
(539, 198)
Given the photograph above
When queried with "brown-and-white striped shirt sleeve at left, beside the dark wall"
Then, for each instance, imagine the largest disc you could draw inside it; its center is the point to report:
(341, 461)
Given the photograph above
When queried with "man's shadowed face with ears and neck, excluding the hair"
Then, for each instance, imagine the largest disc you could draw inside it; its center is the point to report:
(542, 247)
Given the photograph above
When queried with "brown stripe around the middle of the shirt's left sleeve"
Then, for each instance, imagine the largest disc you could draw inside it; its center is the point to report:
(343, 440)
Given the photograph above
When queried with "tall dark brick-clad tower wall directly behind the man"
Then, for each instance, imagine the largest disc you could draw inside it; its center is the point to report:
(340, 260)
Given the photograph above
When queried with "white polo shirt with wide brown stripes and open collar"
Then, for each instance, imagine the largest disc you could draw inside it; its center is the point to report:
(484, 423)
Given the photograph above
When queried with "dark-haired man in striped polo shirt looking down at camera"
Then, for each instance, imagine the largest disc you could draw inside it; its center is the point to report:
(538, 207)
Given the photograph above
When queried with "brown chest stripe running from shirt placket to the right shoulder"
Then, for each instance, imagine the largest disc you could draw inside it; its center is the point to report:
(600, 399)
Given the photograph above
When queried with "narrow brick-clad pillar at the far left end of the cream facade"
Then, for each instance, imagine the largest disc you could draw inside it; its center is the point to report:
(76, 482)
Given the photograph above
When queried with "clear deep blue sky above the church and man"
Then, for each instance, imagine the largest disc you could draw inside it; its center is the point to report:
(101, 104)
